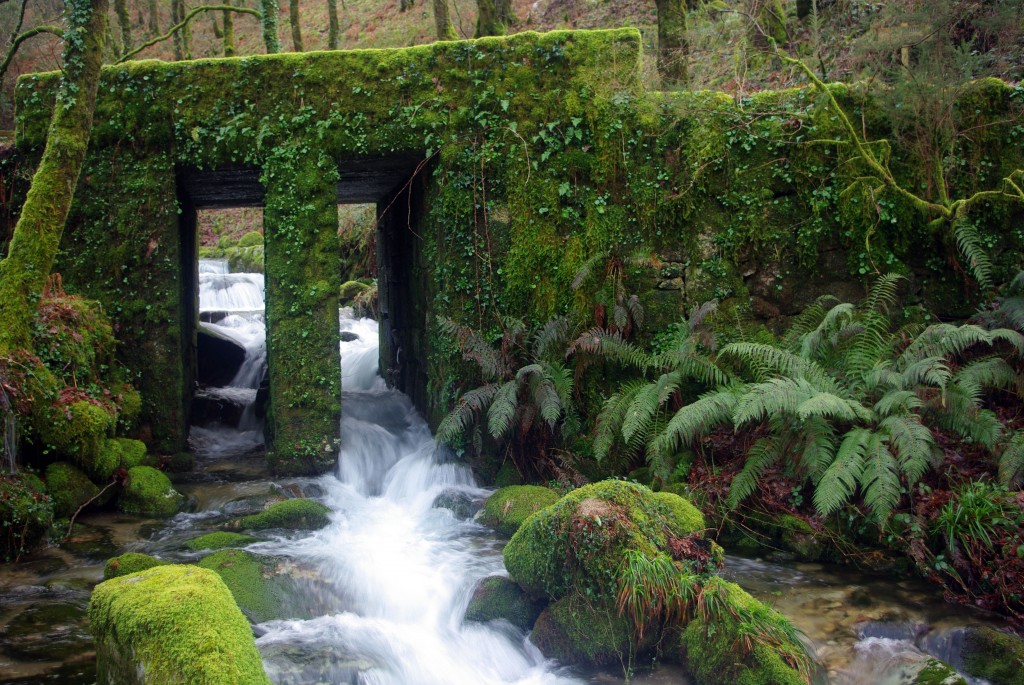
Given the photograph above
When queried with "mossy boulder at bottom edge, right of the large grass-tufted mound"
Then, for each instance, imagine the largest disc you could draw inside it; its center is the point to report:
(712, 646)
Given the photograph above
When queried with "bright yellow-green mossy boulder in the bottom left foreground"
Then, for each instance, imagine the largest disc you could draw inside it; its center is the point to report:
(174, 624)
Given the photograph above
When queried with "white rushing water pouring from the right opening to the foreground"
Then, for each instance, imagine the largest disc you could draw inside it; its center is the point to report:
(406, 569)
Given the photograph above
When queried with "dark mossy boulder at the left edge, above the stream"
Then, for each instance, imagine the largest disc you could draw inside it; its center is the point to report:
(26, 516)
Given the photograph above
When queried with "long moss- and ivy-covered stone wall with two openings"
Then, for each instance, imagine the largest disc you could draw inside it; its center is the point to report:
(541, 152)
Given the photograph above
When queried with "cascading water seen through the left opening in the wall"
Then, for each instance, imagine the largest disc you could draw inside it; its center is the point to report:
(232, 309)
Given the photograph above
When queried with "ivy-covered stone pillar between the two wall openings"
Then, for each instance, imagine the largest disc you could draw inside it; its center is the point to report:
(304, 277)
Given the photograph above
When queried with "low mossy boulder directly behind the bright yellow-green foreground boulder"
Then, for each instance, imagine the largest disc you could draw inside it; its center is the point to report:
(258, 589)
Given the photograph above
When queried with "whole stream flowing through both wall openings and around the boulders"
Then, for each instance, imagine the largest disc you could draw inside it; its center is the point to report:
(386, 585)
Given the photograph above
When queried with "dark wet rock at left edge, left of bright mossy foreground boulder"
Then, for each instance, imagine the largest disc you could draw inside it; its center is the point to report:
(48, 632)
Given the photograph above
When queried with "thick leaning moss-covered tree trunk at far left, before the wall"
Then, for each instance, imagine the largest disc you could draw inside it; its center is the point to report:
(37, 235)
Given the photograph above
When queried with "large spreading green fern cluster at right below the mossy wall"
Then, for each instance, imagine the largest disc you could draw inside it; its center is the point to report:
(848, 404)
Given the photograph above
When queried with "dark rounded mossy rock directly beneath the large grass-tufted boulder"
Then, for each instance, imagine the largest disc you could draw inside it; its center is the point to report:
(574, 630)
